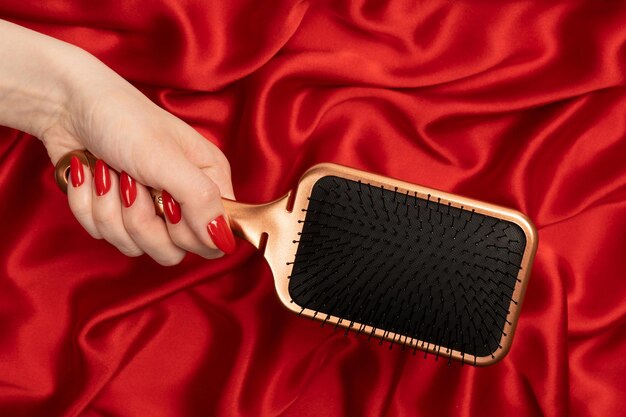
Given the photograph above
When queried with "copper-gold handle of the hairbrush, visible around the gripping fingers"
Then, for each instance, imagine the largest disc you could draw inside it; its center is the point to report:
(248, 221)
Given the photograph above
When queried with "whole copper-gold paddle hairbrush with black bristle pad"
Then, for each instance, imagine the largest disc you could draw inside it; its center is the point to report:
(420, 268)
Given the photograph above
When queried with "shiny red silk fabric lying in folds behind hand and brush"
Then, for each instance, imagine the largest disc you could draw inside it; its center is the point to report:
(520, 104)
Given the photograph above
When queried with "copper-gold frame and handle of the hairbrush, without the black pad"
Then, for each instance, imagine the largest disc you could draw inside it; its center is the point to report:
(272, 228)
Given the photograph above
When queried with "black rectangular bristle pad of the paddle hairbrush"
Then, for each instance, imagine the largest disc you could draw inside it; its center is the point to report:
(407, 264)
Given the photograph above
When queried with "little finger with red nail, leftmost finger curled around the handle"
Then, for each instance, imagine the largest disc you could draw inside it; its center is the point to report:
(79, 196)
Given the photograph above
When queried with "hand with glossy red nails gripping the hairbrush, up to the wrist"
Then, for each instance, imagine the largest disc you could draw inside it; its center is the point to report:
(97, 110)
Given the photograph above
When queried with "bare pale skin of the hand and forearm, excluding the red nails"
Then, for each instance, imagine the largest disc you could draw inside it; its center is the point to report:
(70, 100)
